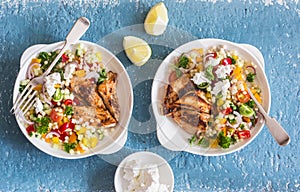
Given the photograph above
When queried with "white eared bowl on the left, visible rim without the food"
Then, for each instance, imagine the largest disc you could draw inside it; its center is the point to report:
(112, 142)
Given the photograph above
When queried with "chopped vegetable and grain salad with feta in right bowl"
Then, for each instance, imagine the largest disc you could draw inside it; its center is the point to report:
(223, 77)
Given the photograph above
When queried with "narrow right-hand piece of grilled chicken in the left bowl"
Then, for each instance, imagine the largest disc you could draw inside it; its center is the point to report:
(108, 92)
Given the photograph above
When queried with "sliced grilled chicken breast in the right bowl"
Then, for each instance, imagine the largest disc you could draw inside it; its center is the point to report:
(187, 105)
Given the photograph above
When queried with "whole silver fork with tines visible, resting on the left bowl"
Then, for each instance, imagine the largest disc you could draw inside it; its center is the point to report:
(27, 97)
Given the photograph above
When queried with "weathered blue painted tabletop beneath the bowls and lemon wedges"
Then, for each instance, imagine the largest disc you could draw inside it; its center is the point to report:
(261, 166)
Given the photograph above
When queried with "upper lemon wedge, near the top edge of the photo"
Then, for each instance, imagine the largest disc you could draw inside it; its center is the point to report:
(156, 20)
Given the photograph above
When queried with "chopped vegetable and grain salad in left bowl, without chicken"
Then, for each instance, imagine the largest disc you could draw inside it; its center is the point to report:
(52, 117)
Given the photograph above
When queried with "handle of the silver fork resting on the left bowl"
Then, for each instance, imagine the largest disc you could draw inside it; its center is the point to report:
(78, 29)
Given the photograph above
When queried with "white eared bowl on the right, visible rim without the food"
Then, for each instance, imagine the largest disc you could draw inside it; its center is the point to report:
(169, 133)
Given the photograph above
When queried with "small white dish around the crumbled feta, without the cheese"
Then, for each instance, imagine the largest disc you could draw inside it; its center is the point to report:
(165, 171)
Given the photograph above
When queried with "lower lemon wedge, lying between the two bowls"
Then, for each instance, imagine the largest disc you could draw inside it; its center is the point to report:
(137, 50)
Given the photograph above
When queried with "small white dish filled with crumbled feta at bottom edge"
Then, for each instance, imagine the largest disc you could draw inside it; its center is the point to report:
(144, 172)
